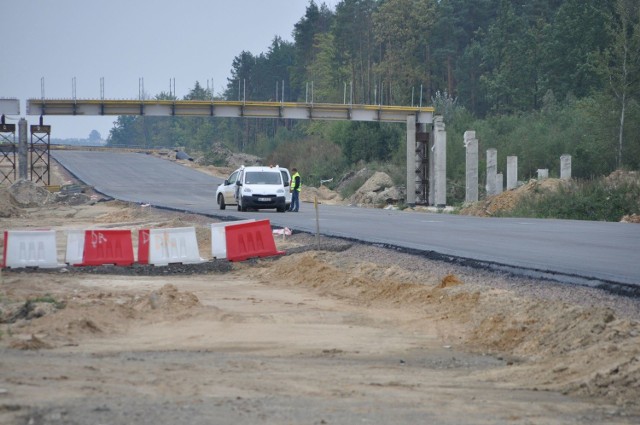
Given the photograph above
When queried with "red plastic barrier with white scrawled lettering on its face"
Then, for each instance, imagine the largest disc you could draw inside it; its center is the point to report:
(107, 247)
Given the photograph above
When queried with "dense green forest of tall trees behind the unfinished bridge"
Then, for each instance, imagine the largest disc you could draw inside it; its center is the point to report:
(536, 79)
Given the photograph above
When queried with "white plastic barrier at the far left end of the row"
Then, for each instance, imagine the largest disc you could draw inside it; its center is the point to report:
(30, 248)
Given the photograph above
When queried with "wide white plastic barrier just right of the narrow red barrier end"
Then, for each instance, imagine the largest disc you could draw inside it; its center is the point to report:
(177, 245)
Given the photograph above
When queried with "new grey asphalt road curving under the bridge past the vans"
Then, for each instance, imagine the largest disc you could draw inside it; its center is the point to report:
(584, 252)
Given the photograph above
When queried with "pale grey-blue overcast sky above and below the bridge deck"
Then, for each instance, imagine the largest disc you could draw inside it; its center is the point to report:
(125, 40)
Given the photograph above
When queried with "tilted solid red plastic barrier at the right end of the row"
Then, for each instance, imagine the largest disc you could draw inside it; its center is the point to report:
(249, 240)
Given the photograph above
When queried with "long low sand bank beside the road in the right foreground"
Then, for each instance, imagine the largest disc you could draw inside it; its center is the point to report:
(579, 350)
